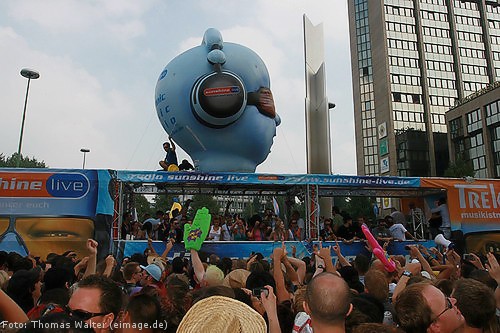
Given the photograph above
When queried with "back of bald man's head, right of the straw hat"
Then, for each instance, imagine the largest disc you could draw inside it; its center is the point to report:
(328, 303)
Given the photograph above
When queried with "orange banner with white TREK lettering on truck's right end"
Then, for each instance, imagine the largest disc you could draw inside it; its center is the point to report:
(474, 205)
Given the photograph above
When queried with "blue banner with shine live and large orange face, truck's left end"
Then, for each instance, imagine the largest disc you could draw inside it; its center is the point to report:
(54, 210)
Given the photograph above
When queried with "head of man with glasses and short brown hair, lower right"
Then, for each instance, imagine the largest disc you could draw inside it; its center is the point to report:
(423, 308)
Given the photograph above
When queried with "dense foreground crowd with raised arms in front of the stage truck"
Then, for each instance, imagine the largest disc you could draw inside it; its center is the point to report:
(435, 290)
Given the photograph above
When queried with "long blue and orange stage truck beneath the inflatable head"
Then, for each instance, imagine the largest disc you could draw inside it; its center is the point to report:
(55, 210)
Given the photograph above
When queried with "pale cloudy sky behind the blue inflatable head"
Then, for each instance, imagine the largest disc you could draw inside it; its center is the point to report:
(99, 62)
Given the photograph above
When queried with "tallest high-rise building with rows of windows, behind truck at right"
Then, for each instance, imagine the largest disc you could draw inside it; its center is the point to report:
(412, 60)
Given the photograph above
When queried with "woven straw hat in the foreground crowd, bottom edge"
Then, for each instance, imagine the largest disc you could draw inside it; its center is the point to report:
(221, 314)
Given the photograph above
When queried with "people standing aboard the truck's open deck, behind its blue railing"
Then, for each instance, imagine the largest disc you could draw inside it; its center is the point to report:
(268, 227)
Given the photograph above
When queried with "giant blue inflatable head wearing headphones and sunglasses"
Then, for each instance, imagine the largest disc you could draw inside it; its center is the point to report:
(215, 101)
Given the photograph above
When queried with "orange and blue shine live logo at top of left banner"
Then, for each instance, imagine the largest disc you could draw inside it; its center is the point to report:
(44, 185)
